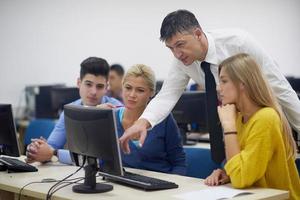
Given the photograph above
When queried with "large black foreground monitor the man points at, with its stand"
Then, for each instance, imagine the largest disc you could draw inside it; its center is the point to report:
(91, 132)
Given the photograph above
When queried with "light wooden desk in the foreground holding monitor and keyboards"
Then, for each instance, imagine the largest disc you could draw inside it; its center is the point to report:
(14, 181)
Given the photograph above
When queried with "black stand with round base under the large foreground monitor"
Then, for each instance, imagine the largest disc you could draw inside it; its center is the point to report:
(90, 185)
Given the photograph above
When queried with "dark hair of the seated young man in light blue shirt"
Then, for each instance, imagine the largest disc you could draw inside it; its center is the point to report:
(94, 65)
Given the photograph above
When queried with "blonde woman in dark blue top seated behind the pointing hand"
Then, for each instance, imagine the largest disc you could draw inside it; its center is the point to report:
(162, 150)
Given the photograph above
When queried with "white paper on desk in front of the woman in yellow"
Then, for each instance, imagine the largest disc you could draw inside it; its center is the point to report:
(213, 193)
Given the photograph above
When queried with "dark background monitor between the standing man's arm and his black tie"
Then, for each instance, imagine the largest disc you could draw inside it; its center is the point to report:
(190, 113)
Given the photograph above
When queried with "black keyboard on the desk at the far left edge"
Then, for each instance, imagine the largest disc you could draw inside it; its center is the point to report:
(15, 165)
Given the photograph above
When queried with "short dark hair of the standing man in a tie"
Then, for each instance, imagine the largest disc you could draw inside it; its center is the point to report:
(179, 21)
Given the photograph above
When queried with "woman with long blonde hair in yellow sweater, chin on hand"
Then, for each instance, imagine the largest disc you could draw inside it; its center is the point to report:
(260, 149)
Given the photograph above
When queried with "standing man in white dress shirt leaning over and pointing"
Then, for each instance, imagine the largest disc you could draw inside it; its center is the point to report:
(190, 45)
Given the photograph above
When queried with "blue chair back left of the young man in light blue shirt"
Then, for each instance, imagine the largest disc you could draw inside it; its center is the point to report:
(38, 128)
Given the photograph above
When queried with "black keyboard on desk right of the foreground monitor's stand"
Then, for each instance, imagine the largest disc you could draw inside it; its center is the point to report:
(140, 181)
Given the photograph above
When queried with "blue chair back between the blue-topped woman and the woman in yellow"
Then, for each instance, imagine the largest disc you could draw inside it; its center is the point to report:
(199, 162)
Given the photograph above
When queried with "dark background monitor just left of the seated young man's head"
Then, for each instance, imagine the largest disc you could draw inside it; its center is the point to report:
(62, 96)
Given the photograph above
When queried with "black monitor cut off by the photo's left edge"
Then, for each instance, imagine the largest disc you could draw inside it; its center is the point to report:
(8, 138)
